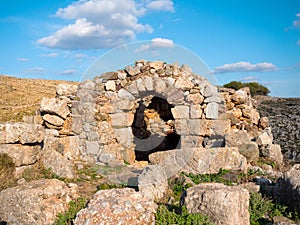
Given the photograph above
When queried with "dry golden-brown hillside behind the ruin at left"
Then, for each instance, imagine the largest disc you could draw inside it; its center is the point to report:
(21, 97)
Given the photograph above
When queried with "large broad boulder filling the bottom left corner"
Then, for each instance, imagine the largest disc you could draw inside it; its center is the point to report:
(36, 202)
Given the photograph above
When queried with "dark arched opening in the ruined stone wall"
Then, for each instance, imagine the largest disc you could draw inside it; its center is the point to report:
(153, 128)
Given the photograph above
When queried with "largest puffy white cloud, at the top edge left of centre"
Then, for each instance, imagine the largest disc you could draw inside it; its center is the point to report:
(102, 23)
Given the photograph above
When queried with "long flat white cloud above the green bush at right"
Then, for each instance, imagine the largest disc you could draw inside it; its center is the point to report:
(245, 67)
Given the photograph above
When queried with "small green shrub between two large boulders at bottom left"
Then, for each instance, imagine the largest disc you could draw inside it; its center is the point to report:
(68, 217)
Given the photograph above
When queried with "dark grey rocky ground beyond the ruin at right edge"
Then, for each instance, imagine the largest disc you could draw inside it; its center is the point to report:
(284, 118)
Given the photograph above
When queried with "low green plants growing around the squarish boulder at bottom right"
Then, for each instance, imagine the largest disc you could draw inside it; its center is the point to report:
(262, 208)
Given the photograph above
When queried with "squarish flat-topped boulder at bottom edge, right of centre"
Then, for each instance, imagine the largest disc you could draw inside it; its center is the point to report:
(223, 204)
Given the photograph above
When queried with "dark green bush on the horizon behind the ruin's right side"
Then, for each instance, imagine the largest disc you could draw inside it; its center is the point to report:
(255, 88)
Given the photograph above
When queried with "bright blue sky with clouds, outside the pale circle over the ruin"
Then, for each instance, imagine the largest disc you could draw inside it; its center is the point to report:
(250, 40)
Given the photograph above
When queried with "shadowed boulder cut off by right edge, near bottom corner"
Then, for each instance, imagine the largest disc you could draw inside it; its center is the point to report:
(287, 188)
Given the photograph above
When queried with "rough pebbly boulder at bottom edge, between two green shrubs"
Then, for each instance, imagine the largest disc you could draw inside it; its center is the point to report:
(117, 206)
